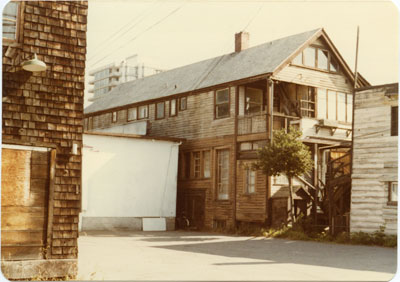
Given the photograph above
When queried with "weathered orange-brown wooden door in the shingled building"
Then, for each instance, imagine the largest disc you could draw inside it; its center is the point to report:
(24, 198)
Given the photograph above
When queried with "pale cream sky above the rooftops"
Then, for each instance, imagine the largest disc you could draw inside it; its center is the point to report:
(170, 33)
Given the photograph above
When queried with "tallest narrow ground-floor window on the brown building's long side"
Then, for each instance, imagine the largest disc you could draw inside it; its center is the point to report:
(223, 174)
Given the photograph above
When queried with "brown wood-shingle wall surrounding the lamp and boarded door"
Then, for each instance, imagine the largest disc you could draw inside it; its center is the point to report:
(46, 108)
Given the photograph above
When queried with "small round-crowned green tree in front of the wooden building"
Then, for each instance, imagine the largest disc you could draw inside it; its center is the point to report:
(288, 155)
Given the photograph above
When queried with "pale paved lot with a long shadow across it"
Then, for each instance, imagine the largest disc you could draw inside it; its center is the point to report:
(192, 256)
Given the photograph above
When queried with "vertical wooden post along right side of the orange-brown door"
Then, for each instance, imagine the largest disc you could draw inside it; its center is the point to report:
(53, 154)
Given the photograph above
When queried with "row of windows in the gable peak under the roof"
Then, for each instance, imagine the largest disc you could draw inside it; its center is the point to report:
(318, 58)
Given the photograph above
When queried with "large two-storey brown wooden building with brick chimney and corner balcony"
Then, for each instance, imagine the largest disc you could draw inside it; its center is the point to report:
(226, 108)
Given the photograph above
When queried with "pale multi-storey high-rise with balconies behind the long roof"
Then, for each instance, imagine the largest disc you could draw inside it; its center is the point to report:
(105, 78)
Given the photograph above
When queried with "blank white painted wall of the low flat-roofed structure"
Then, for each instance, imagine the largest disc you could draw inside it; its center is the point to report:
(128, 177)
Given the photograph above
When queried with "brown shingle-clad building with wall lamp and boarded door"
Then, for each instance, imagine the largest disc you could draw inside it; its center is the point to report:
(42, 113)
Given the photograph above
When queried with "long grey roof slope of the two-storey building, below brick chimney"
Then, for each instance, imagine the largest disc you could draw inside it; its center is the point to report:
(255, 61)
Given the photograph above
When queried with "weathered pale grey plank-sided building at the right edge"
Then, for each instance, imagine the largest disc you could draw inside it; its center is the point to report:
(375, 159)
